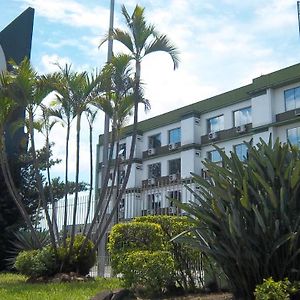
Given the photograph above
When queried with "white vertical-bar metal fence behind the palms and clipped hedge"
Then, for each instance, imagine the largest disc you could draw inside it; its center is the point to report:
(153, 198)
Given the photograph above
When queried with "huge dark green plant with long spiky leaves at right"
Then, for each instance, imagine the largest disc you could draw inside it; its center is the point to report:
(247, 215)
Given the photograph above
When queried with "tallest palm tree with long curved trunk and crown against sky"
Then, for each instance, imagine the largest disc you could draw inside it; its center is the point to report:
(140, 39)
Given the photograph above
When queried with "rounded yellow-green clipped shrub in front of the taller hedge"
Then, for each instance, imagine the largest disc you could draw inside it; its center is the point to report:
(152, 270)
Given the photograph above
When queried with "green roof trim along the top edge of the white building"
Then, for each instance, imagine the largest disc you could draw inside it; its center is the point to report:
(275, 79)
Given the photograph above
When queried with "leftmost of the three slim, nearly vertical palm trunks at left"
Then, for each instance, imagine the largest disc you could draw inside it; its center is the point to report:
(66, 191)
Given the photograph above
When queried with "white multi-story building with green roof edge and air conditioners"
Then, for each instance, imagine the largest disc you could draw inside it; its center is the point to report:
(173, 145)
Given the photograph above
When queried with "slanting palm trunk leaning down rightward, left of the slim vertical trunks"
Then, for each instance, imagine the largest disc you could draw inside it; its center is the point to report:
(39, 182)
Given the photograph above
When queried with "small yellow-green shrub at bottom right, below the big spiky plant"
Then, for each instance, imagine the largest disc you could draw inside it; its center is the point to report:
(272, 290)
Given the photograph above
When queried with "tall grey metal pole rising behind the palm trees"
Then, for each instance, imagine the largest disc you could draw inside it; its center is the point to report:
(102, 244)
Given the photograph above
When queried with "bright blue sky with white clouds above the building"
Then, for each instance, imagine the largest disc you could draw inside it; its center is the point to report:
(223, 45)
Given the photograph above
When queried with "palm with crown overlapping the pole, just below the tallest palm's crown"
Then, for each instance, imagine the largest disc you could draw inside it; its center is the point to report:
(115, 98)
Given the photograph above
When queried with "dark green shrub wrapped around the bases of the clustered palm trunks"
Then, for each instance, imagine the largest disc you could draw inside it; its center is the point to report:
(76, 262)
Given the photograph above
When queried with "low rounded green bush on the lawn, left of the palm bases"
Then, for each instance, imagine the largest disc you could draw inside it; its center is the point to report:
(36, 263)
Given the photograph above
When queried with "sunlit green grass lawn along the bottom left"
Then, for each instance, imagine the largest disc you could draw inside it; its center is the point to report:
(14, 287)
